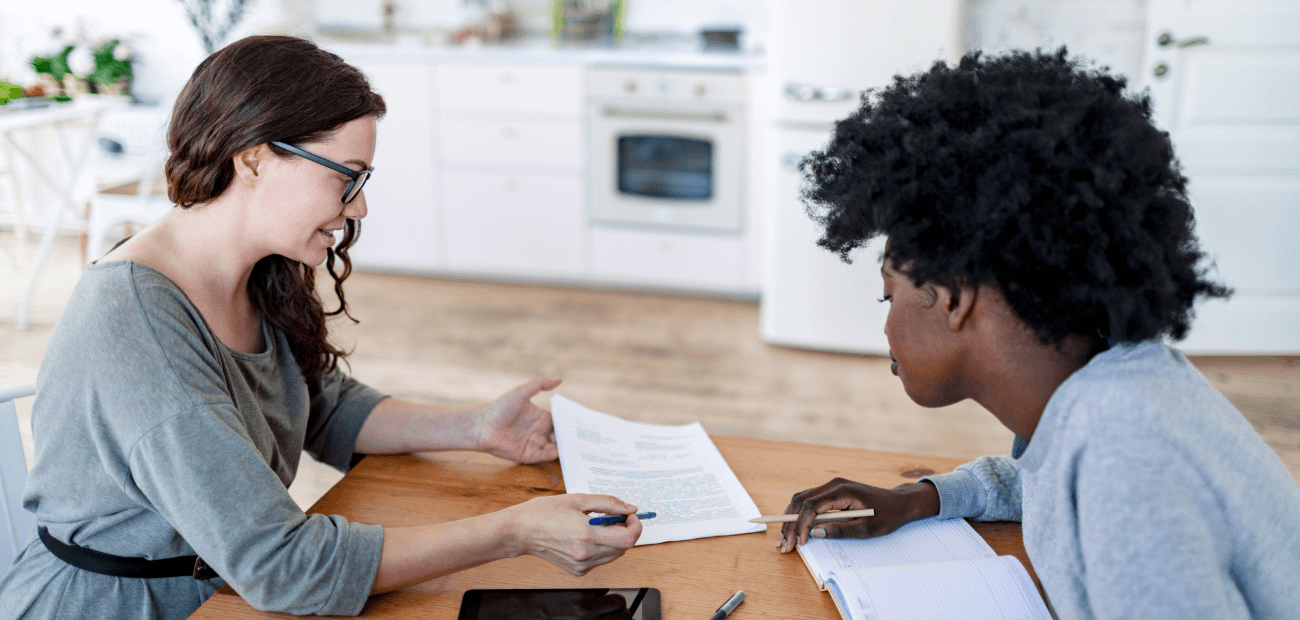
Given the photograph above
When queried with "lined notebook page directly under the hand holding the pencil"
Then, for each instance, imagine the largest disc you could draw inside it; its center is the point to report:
(926, 541)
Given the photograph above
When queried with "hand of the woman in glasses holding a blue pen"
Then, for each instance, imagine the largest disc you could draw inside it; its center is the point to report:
(556, 528)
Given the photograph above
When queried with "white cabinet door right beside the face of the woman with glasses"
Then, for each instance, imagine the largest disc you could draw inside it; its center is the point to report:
(401, 231)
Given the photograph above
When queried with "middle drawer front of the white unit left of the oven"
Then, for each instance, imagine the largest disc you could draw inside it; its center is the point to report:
(479, 141)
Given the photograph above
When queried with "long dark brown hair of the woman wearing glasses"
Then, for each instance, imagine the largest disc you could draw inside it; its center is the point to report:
(252, 93)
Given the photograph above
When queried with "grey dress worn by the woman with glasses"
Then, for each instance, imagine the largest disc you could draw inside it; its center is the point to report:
(157, 441)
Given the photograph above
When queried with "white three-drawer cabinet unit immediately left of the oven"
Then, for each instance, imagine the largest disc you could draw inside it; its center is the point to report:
(512, 144)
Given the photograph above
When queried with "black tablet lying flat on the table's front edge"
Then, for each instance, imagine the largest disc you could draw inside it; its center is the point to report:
(595, 604)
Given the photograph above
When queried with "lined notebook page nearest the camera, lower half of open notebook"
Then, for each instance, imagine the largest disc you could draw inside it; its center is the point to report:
(980, 589)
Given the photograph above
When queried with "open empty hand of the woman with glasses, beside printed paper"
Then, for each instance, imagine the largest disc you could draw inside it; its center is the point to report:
(515, 430)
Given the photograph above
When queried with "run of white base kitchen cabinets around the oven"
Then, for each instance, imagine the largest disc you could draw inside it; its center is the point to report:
(482, 171)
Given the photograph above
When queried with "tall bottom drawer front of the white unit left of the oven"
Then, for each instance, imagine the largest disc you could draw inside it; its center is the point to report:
(515, 224)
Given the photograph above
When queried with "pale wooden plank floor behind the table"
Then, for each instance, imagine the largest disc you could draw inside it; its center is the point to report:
(642, 357)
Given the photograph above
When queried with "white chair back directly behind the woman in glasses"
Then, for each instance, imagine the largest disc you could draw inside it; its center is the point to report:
(16, 524)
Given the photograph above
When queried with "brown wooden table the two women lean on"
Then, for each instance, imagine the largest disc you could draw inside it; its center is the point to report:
(694, 576)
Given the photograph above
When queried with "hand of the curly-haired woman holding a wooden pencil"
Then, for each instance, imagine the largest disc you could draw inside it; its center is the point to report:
(895, 509)
